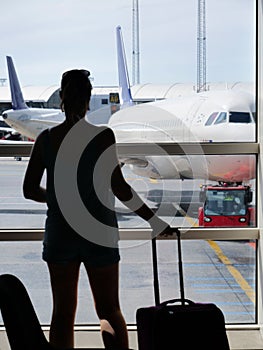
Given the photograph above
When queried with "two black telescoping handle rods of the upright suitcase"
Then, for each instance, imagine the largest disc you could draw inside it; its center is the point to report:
(155, 269)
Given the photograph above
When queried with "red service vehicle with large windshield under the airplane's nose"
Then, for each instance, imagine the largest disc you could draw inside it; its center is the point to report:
(226, 205)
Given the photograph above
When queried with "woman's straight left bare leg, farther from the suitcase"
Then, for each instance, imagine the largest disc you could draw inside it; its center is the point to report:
(64, 283)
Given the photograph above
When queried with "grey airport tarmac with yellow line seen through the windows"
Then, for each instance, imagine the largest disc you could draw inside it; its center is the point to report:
(220, 272)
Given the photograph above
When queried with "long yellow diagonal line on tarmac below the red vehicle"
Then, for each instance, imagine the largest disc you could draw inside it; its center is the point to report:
(233, 271)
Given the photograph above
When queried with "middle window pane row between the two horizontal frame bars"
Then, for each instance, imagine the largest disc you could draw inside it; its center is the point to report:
(178, 199)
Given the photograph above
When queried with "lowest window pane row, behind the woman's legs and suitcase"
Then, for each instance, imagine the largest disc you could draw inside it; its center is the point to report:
(215, 271)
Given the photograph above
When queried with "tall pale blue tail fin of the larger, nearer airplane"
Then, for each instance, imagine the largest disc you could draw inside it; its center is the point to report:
(124, 83)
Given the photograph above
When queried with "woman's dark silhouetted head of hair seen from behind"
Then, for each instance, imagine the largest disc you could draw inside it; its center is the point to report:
(75, 94)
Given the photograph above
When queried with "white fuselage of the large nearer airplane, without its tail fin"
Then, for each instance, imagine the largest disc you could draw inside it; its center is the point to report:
(186, 120)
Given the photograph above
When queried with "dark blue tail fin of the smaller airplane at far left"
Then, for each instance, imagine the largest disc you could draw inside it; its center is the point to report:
(18, 101)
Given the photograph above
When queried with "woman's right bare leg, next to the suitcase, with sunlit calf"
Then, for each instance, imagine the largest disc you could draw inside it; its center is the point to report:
(104, 282)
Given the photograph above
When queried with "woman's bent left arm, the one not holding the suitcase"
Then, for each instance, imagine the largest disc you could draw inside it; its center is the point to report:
(34, 172)
